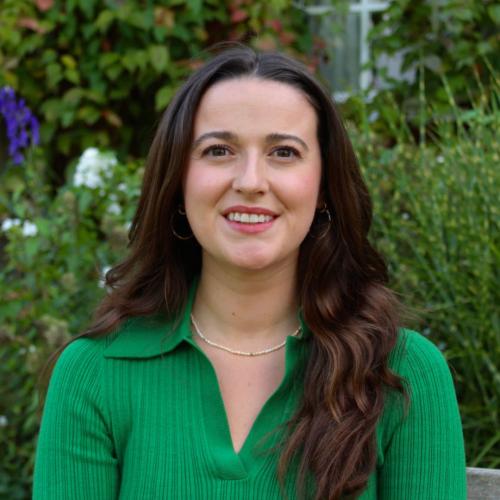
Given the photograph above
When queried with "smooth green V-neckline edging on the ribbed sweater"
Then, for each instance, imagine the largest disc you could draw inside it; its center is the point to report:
(228, 463)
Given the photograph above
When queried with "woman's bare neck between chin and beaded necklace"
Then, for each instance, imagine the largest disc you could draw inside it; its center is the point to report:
(252, 310)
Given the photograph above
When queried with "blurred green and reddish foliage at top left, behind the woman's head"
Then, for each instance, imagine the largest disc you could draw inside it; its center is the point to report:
(99, 72)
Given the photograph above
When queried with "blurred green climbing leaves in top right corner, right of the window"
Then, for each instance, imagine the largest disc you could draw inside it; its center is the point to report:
(453, 39)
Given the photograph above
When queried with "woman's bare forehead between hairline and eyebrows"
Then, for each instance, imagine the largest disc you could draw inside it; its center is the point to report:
(252, 103)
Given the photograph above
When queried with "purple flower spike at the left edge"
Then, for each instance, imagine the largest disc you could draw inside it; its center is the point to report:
(21, 125)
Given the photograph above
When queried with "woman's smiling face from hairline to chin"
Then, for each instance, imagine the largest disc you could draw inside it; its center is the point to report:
(253, 175)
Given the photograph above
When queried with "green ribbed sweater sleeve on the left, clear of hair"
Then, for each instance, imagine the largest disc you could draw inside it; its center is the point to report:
(75, 456)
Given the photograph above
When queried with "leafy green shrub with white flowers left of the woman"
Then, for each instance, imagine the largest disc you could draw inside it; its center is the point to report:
(56, 252)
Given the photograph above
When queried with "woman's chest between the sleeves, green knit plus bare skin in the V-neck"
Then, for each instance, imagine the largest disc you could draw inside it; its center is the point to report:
(170, 420)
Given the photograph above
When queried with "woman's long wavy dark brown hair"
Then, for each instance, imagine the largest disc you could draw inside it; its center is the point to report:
(342, 280)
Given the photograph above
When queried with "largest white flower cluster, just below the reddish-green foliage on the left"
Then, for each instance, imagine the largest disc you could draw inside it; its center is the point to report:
(93, 167)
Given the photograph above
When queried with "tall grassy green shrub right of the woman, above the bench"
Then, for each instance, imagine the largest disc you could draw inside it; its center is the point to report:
(437, 222)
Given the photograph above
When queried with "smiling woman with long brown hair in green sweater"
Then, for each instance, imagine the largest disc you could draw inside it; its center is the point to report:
(248, 347)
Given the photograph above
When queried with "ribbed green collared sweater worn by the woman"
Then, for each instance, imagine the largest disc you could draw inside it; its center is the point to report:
(138, 415)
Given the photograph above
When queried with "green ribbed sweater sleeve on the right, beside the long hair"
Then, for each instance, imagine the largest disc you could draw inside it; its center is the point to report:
(424, 456)
